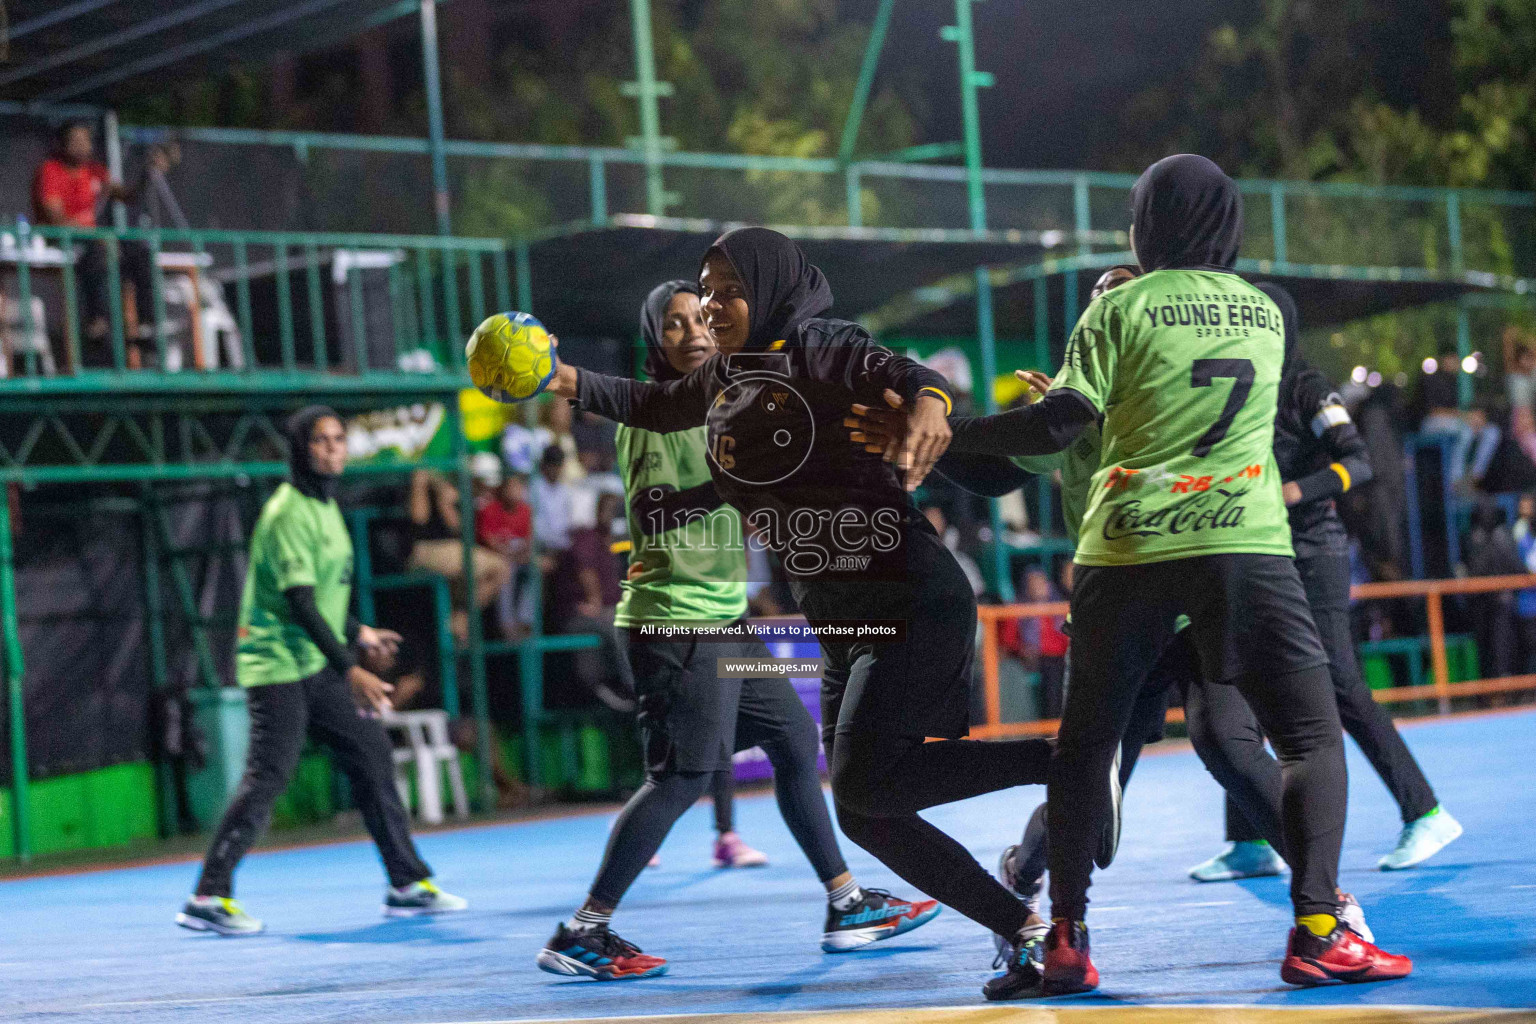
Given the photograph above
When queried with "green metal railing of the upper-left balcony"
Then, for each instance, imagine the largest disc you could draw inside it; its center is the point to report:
(429, 292)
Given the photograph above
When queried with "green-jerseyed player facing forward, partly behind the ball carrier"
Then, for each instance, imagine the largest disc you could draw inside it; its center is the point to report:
(689, 569)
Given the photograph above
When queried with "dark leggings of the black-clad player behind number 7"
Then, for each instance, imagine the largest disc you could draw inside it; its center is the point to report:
(1326, 583)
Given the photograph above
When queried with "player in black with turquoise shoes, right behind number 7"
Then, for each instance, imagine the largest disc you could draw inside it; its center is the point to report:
(1320, 457)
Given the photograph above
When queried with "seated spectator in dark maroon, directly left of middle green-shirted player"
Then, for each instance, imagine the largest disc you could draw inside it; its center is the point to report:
(584, 596)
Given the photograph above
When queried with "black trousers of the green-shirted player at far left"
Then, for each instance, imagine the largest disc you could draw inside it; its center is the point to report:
(280, 718)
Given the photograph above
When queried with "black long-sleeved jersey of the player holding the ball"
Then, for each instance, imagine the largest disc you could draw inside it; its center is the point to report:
(780, 452)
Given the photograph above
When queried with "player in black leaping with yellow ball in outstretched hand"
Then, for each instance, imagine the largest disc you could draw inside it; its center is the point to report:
(855, 546)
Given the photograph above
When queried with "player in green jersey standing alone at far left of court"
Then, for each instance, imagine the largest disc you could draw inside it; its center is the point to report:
(300, 678)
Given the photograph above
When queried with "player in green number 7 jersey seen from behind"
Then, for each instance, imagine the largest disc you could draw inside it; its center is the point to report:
(1187, 517)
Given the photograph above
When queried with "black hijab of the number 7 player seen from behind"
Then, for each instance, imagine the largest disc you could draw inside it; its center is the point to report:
(1188, 216)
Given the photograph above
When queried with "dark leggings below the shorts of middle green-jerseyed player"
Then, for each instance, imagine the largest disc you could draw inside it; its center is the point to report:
(770, 716)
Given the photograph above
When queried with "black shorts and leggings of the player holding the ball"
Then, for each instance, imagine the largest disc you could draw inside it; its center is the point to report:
(881, 701)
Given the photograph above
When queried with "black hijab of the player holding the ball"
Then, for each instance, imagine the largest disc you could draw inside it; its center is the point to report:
(783, 288)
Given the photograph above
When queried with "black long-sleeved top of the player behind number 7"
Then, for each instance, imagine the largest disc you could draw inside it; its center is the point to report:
(1319, 449)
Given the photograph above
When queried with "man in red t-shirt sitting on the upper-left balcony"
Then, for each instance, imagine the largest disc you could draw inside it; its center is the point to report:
(68, 193)
